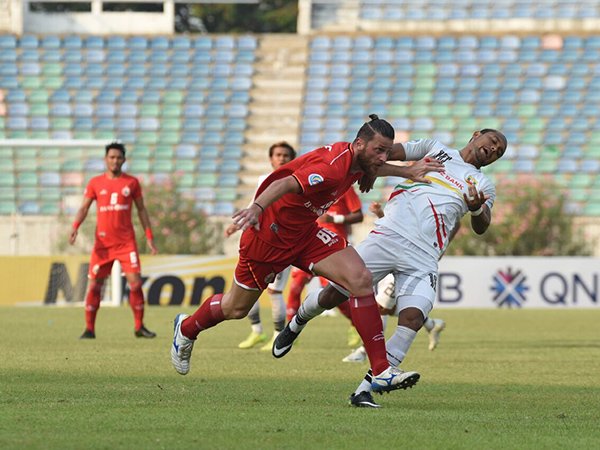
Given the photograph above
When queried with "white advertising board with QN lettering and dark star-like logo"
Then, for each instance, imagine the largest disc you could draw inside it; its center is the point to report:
(518, 282)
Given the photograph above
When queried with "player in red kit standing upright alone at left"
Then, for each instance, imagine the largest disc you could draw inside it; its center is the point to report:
(114, 192)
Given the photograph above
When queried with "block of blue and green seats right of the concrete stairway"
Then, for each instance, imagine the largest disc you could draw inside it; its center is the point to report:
(540, 90)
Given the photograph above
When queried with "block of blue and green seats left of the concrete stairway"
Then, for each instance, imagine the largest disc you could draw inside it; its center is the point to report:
(177, 102)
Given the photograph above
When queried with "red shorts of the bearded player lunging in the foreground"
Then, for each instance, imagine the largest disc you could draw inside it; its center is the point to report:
(260, 262)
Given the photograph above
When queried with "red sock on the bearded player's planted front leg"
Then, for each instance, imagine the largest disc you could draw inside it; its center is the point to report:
(366, 319)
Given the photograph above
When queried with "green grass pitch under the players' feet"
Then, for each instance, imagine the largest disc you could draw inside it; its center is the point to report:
(499, 380)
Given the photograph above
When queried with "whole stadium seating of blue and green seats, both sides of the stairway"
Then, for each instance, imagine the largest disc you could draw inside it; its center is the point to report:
(183, 104)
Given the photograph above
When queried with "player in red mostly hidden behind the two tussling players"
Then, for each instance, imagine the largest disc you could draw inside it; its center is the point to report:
(343, 213)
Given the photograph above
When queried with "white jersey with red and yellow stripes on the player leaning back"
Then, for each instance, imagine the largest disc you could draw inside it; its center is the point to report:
(425, 214)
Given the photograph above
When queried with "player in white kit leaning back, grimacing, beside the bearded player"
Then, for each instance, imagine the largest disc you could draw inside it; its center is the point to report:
(414, 233)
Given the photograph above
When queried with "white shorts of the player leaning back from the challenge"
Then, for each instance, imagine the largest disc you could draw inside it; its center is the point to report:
(415, 272)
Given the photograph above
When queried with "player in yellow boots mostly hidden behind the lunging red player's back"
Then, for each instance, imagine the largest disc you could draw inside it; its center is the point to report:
(280, 153)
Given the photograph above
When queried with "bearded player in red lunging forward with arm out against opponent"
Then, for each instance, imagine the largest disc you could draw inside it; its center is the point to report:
(280, 229)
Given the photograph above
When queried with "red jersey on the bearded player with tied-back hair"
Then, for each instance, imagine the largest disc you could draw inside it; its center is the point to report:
(324, 175)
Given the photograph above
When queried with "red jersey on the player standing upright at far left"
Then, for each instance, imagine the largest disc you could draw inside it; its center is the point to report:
(114, 199)
